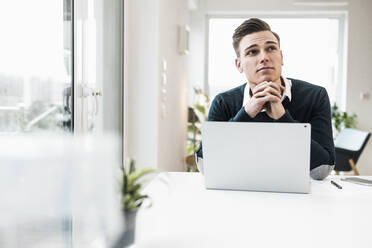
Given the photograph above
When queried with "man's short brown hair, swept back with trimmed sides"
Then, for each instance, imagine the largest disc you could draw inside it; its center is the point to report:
(250, 26)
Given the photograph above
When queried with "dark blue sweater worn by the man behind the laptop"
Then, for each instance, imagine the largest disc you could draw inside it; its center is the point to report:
(309, 104)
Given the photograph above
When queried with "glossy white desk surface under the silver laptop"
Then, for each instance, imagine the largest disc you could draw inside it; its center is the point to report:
(185, 214)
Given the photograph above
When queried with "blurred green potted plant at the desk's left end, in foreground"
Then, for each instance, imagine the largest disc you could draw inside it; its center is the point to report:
(131, 199)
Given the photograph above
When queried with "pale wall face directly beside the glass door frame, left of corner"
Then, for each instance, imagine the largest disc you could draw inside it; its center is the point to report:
(141, 77)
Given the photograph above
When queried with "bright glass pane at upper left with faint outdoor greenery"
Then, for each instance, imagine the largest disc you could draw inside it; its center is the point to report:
(35, 66)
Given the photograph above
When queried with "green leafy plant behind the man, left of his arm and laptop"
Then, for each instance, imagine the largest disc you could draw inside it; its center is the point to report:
(196, 115)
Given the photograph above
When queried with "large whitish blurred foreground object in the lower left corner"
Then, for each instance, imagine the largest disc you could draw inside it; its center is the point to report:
(58, 191)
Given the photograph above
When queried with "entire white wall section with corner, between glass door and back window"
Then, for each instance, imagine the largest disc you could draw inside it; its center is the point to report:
(155, 136)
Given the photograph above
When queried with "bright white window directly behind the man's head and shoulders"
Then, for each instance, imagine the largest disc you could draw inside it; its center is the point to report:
(312, 51)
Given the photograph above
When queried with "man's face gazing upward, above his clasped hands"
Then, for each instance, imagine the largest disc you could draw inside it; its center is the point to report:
(260, 58)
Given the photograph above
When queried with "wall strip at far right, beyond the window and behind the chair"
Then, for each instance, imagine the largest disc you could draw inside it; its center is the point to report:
(359, 72)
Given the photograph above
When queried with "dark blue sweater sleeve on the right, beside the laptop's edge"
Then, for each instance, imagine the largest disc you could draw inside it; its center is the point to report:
(322, 146)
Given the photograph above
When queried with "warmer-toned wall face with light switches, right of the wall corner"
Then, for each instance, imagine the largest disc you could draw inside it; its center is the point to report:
(172, 124)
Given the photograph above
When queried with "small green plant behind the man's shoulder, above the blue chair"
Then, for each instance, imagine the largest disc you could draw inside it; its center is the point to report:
(342, 119)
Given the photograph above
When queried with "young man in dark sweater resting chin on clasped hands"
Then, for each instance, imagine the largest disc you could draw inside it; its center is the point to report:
(270, 97)
